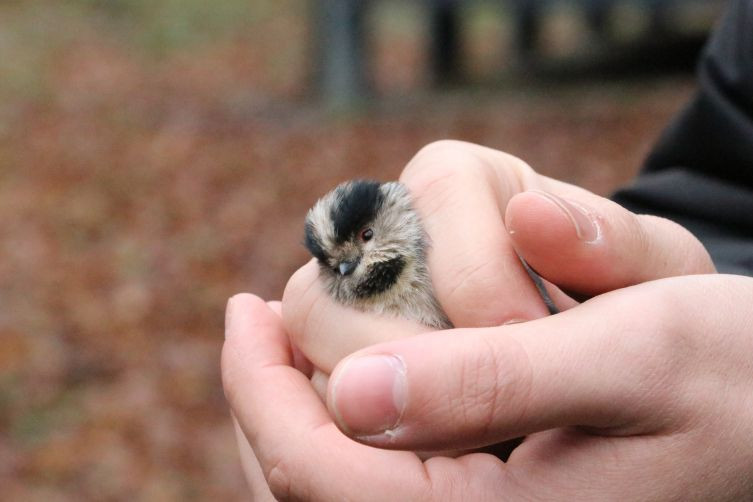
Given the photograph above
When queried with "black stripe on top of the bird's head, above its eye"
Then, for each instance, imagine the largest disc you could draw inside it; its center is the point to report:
(357, 205)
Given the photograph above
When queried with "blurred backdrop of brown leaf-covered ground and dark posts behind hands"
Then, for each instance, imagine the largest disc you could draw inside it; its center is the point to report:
(157, 156)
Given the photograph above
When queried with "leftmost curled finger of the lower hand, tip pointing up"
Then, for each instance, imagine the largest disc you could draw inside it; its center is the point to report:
(288, 426)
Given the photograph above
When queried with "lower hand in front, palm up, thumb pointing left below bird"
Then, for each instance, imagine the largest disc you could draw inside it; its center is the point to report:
(639, 394)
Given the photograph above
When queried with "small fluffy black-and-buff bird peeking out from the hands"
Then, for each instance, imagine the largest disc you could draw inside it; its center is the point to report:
(371, 249)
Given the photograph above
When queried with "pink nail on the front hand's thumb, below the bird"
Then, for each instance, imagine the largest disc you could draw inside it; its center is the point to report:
(369, 394)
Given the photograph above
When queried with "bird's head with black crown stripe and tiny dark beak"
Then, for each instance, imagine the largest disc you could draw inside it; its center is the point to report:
(365, 236)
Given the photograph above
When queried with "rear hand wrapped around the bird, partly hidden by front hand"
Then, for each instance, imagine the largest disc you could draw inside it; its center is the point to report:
(482, 208)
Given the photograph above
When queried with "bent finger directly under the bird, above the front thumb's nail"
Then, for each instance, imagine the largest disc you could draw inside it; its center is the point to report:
(327, 331)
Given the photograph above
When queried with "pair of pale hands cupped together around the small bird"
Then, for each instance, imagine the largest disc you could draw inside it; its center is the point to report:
(643, 392)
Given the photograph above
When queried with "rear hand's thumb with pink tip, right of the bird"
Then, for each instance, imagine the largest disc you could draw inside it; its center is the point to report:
(589, 244)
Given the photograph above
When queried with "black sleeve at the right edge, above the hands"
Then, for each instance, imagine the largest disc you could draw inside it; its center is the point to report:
(700, 174)
